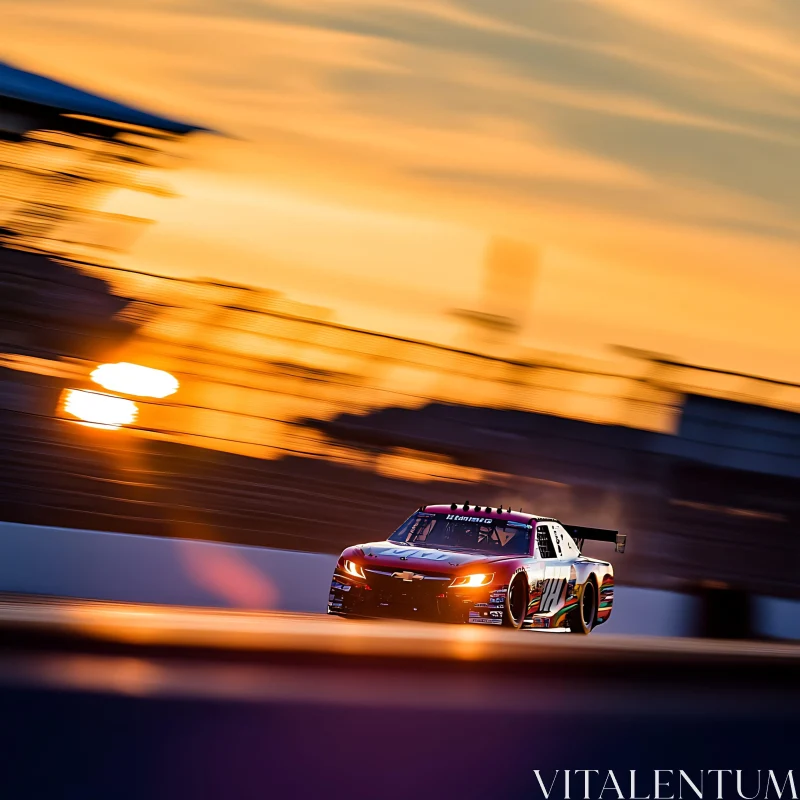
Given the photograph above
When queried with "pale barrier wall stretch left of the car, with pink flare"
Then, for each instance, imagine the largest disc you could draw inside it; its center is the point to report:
(149, 569)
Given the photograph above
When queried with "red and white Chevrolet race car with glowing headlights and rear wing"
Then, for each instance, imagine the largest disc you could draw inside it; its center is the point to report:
(479, 564)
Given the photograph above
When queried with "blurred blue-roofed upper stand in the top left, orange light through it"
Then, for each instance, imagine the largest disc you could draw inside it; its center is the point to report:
(62, 152)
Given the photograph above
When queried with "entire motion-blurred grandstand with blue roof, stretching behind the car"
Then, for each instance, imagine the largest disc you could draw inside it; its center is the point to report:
(293, 430)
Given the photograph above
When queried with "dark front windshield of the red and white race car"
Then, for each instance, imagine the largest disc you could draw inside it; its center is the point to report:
(472, 533)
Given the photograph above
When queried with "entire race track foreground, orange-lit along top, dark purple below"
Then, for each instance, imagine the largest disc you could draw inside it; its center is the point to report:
(104, 700)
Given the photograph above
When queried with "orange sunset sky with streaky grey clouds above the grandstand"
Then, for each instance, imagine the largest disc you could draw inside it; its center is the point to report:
(648, 149)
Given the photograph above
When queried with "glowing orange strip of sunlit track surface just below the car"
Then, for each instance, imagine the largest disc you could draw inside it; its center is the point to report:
(270, 632)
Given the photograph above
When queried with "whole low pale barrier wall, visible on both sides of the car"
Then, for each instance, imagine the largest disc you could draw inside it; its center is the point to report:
(116, 566)
